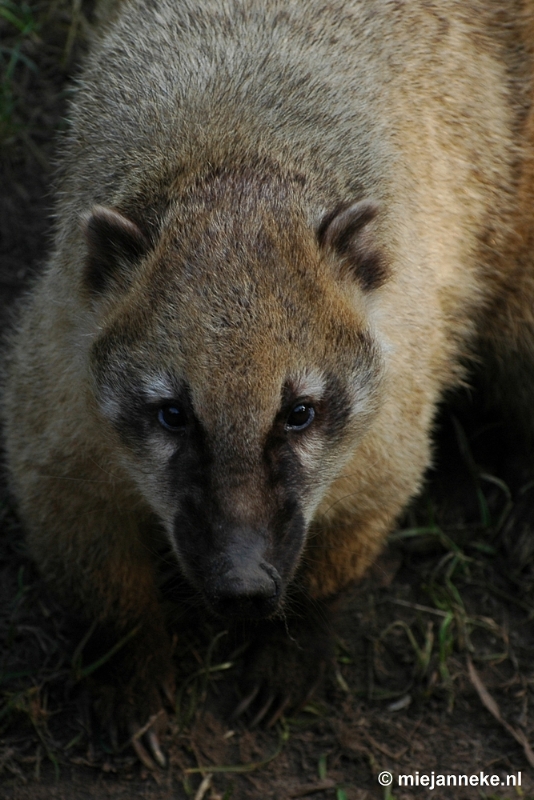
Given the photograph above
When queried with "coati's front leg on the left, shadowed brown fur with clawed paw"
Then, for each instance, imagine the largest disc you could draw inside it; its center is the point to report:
(90, 544)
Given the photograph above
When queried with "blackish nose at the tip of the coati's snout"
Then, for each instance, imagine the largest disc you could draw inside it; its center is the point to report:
(253, 593)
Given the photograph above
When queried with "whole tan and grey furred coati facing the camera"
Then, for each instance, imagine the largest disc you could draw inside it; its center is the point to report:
(283, 232)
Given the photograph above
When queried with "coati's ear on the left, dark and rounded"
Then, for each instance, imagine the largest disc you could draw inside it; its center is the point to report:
(113, 241)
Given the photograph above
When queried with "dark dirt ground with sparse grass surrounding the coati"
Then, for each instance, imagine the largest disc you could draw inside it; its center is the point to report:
(435, 650)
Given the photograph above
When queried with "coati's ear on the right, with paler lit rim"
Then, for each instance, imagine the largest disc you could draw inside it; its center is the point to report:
(346, 232)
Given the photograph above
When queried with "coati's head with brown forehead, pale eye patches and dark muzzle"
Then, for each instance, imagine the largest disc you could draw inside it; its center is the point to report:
(235, 361)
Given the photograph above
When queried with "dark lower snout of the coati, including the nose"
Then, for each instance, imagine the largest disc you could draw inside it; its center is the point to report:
(240, 566)
